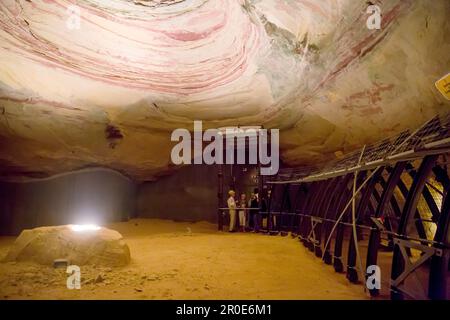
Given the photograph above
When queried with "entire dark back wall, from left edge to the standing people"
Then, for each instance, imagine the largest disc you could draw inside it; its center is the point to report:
(102, 195)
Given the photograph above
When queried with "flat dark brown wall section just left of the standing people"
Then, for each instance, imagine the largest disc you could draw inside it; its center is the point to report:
(190, 194)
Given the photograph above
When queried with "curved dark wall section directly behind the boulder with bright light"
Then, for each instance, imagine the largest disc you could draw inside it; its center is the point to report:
(88, 196)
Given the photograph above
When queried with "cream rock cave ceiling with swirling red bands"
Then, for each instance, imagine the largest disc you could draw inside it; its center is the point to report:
(104, 82)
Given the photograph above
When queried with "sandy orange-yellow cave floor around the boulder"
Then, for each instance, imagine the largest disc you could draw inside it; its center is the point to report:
(169, 262)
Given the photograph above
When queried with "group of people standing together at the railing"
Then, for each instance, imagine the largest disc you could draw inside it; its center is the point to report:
(244, 214)
